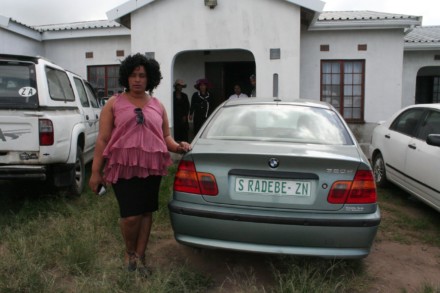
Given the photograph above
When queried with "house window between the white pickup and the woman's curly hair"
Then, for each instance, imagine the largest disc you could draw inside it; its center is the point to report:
(104, 79)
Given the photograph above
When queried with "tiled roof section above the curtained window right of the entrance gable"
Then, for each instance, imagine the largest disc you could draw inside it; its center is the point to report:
(364, 19)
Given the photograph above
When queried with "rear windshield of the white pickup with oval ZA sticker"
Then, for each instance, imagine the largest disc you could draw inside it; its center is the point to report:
(18, 87)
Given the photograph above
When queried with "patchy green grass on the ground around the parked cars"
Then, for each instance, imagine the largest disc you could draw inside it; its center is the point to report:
(54, 243)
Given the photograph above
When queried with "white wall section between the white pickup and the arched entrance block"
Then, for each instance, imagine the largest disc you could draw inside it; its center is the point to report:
(71, 53)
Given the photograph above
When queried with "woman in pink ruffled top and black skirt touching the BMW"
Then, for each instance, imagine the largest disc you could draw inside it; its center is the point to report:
(132, 152)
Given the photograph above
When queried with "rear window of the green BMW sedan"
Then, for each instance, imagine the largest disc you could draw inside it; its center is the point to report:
(290, 123)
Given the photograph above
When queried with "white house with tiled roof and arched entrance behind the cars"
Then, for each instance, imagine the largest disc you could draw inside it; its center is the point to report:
(367, 64)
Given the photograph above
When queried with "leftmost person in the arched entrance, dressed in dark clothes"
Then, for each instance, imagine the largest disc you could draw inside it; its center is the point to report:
(181, 111)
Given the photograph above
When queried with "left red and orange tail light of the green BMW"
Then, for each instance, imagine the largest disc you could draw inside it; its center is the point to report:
(188, 180)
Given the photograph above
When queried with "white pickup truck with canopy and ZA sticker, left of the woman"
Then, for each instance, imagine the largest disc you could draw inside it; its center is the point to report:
(49, 122)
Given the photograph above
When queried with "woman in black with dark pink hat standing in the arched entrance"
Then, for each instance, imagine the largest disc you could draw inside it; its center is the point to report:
(202, 104)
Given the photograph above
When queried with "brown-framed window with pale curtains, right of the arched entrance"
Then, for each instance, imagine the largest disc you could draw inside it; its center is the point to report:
(342, 85)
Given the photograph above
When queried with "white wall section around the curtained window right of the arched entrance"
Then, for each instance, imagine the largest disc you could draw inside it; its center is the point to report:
(383, 66)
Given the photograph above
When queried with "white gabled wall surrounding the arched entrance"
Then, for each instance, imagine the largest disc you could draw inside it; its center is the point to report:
(255, 26)
